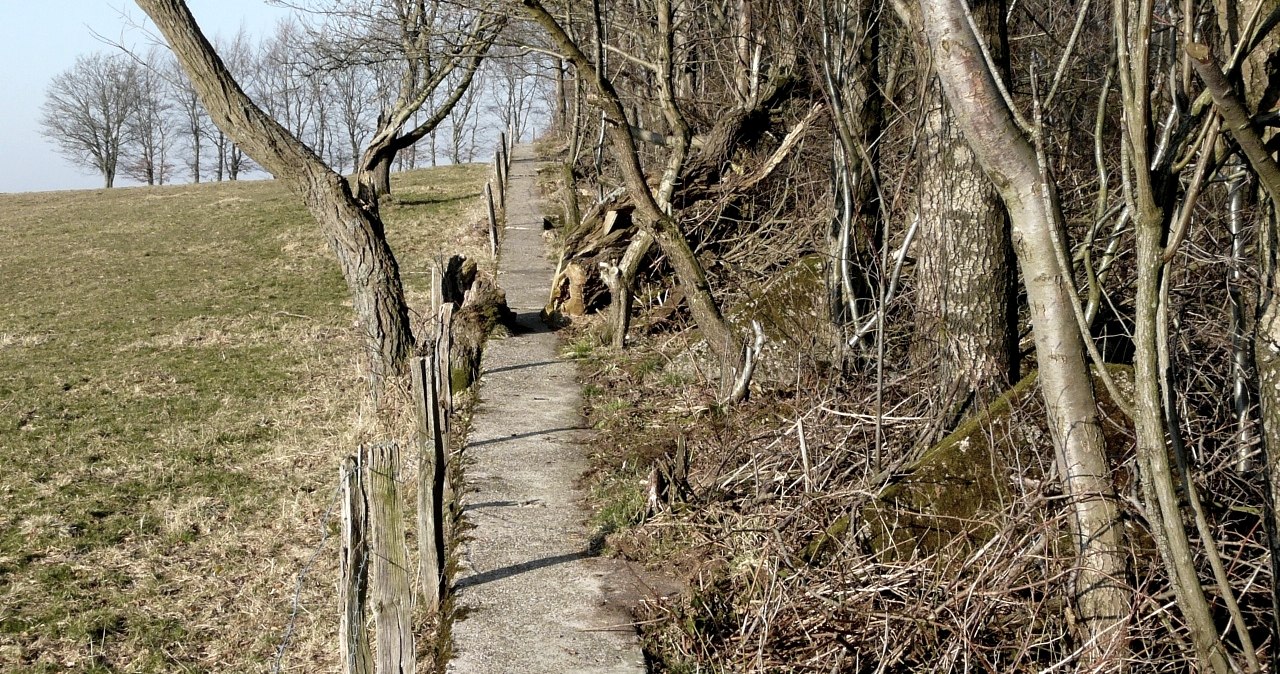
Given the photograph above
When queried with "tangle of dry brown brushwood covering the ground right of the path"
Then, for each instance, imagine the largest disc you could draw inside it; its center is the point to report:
(798, 556)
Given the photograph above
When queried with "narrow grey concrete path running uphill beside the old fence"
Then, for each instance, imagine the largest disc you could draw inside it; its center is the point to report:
(533, 600)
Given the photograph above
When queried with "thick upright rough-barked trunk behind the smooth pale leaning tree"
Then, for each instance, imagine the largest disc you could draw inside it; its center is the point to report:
(964, 258)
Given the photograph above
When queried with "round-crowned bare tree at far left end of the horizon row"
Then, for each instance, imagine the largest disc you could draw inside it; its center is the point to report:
(88, 112)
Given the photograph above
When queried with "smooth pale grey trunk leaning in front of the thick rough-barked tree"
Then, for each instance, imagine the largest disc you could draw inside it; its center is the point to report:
(1103, 597)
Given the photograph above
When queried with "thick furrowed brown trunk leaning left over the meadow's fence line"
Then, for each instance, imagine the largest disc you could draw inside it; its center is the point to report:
(354, 233)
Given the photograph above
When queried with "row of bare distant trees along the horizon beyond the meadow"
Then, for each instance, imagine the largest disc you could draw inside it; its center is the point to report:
(138, 116)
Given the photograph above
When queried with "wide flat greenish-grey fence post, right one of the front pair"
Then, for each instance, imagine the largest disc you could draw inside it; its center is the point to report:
(394, 593)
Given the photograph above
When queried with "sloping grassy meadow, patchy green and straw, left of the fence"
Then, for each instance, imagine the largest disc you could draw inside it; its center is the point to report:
(180, 378)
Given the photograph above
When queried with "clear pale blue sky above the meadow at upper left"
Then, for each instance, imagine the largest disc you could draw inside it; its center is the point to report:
(42, 39)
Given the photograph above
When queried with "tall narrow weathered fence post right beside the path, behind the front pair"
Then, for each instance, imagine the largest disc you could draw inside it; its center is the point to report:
(431, 535)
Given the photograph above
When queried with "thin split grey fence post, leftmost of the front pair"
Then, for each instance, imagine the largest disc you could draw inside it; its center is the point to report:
(354, 585)
